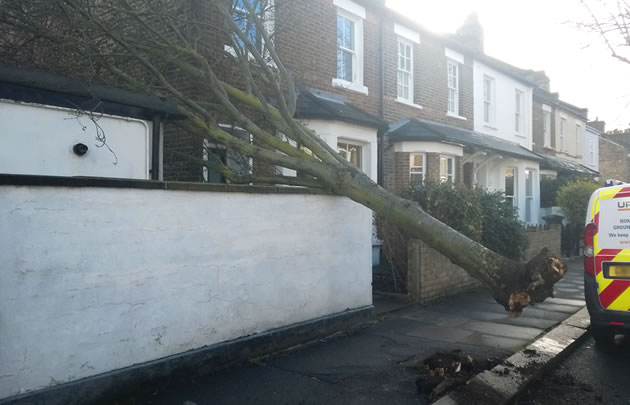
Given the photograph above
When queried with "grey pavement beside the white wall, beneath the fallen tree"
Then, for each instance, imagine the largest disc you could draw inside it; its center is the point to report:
(370, 365)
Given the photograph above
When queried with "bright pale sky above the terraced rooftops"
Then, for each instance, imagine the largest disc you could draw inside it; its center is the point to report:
(541, 35)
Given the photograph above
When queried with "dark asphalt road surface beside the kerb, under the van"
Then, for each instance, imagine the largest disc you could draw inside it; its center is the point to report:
(589, 375)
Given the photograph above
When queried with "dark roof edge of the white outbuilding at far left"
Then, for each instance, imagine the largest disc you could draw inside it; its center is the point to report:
(32, 86)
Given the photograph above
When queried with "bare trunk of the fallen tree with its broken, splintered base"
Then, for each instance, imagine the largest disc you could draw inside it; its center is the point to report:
(513, 284)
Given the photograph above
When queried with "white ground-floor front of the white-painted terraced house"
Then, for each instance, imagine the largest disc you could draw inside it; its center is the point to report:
(492, 177)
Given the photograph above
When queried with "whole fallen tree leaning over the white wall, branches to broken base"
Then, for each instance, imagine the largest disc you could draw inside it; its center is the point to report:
(150, 45)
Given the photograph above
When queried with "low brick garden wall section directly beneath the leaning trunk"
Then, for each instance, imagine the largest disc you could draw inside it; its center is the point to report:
(431, 275)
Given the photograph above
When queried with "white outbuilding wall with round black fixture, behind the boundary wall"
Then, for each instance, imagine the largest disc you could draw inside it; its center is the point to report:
(38, 139)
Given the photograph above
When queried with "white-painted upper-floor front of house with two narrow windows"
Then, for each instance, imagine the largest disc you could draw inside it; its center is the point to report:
(505, 106)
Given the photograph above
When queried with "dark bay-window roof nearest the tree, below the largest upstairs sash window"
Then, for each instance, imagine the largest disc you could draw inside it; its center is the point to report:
(319, 104)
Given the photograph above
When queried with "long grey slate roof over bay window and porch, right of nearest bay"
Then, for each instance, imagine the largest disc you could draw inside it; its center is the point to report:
(419, 130)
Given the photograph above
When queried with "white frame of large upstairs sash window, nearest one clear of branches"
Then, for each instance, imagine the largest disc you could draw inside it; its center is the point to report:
(355, 13)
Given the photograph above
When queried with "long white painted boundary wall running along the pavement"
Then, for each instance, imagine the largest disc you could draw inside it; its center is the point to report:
(98, 279)
